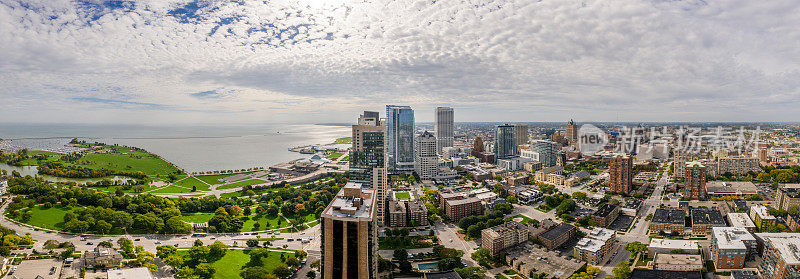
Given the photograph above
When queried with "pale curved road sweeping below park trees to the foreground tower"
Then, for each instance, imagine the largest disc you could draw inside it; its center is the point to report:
(151, 241)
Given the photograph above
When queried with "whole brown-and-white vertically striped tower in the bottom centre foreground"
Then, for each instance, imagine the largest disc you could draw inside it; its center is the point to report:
(349, 242)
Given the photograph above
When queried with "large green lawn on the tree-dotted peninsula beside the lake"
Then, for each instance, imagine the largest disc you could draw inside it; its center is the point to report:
(125, 159)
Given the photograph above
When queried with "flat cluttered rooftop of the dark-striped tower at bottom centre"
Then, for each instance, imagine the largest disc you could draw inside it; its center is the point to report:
(352, 202)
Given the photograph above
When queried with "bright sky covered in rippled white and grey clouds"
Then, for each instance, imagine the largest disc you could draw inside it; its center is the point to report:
(310, 61)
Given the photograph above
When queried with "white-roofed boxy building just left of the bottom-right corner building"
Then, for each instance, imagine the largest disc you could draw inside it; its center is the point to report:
(732, 247)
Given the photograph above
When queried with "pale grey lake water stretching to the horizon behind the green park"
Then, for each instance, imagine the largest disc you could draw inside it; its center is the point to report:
(193, 148)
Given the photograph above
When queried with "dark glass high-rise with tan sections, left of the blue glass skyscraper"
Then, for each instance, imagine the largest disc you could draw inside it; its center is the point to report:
(367, 156)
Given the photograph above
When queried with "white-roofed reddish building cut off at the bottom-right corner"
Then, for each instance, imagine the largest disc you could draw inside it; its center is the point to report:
(781, 256)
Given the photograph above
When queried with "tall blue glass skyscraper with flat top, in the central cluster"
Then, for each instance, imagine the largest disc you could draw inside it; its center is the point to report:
(399, 138)
